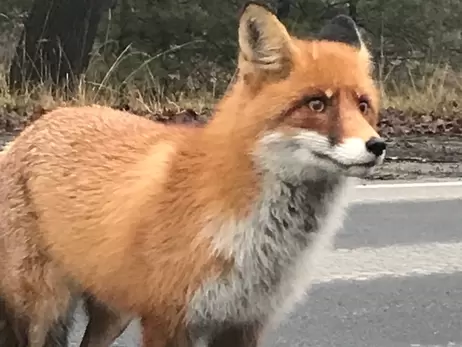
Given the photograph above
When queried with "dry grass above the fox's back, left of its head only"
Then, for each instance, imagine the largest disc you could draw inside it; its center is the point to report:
(102, 85)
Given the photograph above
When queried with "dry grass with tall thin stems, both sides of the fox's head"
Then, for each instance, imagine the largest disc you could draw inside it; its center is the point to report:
(422, 87)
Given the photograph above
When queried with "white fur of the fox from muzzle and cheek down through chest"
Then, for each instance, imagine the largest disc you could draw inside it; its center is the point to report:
(275, 248)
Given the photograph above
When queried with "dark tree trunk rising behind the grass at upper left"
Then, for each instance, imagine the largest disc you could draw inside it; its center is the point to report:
(56, 42)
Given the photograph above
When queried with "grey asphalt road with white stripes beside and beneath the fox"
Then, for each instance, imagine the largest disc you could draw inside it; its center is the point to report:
(393, 279)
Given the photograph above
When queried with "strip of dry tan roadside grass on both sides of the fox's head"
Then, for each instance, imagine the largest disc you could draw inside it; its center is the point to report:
(424, 89)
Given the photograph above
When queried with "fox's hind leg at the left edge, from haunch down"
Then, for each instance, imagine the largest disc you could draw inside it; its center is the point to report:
(36, 298)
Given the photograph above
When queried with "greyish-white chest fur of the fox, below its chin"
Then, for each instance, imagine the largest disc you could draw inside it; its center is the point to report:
(274, 250)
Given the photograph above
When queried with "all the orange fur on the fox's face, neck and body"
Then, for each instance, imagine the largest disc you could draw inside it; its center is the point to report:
(102, 201)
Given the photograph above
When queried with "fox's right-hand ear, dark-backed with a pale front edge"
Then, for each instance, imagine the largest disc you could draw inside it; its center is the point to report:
(343, 29)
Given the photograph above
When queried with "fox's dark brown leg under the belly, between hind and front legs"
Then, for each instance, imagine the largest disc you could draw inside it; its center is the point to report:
(105, 325)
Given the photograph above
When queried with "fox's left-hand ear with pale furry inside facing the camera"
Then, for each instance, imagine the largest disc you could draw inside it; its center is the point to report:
(264, 43)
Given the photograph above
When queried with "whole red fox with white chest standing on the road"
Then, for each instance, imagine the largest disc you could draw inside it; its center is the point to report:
(209, 234)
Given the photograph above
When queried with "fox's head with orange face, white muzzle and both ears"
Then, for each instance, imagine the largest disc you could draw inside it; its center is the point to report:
(311, 104)
